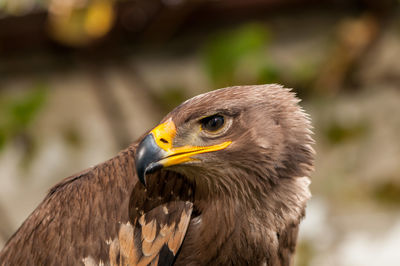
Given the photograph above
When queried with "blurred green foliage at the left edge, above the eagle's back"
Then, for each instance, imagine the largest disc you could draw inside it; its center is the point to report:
(18, 112)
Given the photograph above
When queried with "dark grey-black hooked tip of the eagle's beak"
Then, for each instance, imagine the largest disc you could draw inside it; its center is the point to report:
(147, 156)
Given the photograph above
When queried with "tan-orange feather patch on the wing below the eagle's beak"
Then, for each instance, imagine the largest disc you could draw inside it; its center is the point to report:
(152, 236)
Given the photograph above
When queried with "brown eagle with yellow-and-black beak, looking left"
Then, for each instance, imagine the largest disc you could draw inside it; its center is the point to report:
(222, 180)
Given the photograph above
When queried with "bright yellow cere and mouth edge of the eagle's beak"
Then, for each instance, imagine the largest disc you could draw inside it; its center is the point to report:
(164, 135)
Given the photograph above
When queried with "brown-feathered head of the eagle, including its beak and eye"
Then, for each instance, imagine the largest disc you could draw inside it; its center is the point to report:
(250, 136)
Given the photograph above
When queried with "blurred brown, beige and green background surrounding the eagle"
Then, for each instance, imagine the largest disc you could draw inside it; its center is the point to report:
(81, 79)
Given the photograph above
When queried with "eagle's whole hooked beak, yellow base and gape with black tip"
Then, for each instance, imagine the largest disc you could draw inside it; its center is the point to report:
(155, 151)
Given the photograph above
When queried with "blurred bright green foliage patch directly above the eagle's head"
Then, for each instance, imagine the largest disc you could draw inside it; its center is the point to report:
(228, 51)
